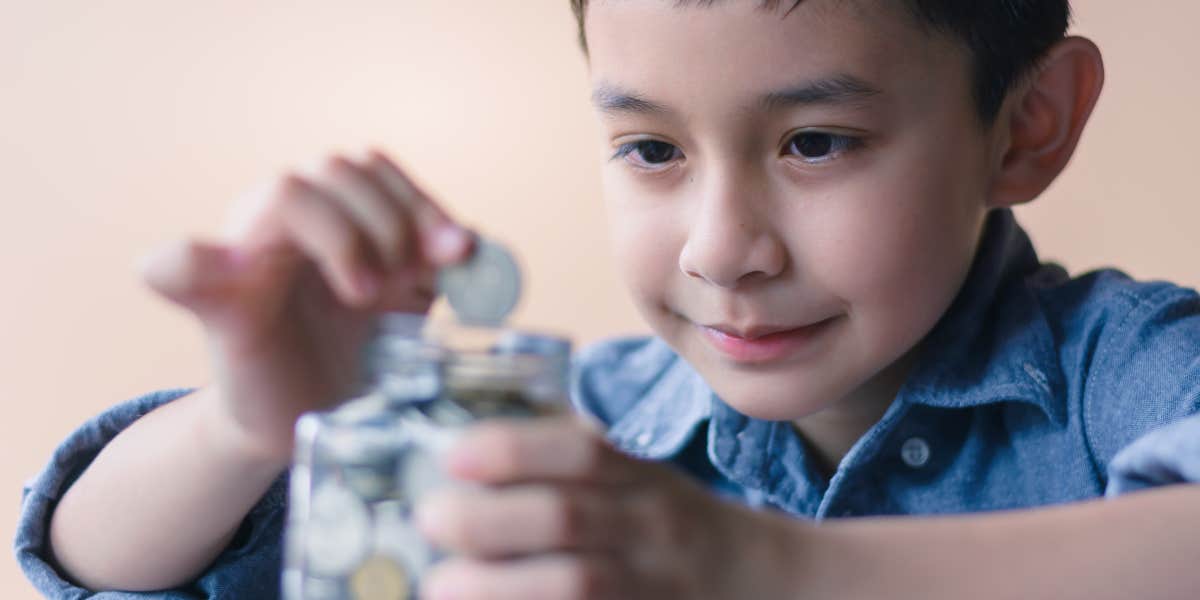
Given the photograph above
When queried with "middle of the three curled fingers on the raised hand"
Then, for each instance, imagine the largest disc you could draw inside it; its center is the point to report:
(387, 224)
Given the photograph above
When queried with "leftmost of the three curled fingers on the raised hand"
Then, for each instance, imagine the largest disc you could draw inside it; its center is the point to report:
(319, 225)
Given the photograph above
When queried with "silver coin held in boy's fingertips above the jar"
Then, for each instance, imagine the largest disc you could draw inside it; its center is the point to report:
(485, 289)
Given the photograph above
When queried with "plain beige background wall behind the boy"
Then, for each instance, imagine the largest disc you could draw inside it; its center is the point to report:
(130, 123)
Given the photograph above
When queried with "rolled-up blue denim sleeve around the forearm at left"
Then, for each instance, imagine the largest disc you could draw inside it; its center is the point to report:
(249, 568)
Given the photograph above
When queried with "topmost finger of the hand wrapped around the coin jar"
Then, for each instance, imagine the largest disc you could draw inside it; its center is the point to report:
(557, 449)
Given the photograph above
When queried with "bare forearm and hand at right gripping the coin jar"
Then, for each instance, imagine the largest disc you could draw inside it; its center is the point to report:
(586, 521)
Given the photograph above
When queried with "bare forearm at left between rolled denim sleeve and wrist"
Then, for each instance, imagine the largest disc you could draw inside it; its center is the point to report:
(121, 525)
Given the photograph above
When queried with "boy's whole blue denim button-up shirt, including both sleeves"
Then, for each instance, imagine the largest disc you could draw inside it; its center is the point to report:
(1034, 389)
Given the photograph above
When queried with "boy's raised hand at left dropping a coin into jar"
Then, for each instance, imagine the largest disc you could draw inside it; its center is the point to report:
(290, 302)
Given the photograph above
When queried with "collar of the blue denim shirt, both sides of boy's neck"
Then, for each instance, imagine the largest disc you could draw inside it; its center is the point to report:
(993, 345)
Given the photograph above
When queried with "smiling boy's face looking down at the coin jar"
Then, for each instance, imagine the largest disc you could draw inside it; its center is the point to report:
(795, 201)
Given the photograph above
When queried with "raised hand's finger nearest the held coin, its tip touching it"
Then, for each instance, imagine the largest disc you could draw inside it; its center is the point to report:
(442, 242)
